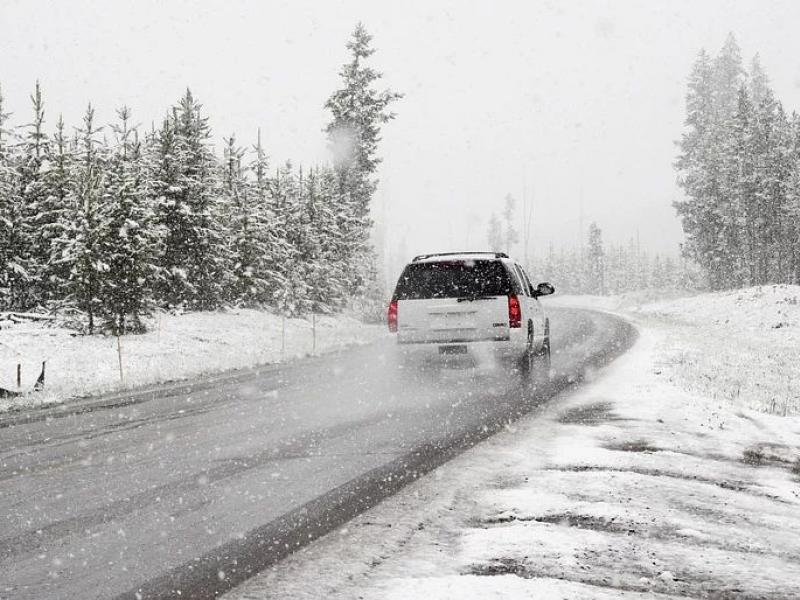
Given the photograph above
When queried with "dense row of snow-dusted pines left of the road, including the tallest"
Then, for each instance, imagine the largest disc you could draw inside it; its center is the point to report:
(109, 222)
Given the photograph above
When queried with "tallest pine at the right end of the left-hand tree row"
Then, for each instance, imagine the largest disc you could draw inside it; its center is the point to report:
(358, 111)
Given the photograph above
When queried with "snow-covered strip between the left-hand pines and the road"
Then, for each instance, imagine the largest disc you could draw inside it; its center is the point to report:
(176, 347)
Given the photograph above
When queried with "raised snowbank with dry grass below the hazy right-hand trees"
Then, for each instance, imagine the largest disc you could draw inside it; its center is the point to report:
(742, 346)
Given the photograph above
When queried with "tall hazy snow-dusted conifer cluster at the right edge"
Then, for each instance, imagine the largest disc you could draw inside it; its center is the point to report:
(739, 166)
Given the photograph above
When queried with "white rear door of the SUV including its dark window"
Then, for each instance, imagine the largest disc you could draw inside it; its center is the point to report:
(453, 301)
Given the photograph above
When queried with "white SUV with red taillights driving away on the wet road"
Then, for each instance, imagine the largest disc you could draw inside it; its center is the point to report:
(472, 303)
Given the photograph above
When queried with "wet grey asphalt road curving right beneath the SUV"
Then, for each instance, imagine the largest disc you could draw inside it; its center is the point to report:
(196, 488)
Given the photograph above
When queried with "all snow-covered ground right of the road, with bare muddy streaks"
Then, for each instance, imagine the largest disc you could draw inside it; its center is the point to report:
(641, 485)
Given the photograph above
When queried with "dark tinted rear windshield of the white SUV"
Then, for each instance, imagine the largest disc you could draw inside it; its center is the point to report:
(453, 279)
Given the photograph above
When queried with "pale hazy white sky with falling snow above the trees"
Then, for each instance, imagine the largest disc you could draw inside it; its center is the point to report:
(567, 100)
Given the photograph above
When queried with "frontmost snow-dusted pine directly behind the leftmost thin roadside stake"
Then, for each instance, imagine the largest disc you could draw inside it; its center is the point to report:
(128, 240)
